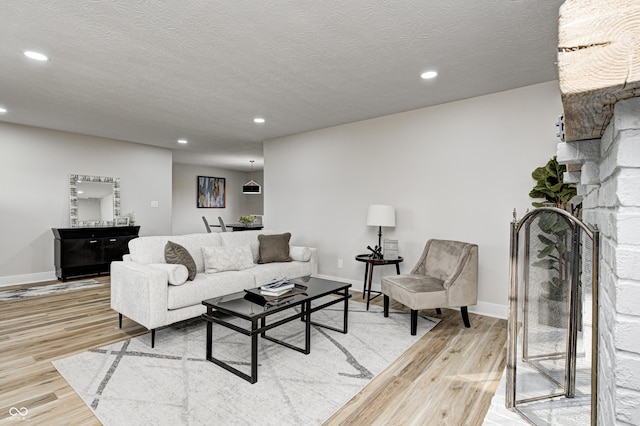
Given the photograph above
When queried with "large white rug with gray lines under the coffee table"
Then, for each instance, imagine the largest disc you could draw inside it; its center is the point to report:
(129, 383)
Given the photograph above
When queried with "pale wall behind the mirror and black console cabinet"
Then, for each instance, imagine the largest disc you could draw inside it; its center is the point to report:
(35, 165)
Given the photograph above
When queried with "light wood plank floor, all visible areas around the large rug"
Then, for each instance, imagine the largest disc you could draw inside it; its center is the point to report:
(447, 378)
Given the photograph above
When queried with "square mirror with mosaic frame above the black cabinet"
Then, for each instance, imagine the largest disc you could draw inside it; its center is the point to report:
(93, 200)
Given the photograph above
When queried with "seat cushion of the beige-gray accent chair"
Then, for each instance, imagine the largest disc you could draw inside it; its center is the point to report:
(415, 291)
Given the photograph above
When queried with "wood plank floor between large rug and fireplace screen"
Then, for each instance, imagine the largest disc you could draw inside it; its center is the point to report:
(448, 377)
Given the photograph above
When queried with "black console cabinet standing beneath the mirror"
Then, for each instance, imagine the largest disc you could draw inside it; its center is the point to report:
(89, 251)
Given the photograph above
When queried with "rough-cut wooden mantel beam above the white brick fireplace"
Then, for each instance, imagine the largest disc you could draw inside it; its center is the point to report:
(598, 62)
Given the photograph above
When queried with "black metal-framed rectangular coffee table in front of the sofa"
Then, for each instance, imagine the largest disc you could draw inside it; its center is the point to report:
(253, 309)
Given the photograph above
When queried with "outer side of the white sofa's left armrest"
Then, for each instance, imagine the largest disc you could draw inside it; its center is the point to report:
(140, 293)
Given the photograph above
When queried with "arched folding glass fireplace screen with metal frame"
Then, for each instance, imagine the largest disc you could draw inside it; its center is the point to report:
(552, 336)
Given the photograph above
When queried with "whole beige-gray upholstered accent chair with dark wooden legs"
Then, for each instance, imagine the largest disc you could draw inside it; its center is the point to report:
(445, 276)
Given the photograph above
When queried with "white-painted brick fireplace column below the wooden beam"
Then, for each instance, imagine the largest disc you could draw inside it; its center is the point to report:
(609, 182)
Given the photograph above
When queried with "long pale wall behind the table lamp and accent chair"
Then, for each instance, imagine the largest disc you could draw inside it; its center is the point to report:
(453, 171)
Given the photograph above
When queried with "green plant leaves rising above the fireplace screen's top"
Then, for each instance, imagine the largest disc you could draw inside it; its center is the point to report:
(550, 185)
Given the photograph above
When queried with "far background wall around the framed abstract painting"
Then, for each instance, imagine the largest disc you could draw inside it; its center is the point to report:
(187, 217)
